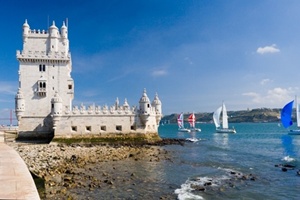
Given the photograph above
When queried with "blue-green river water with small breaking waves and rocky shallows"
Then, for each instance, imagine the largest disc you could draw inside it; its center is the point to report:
(226, 166)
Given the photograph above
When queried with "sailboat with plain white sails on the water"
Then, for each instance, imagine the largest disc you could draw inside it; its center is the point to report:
(216, 118)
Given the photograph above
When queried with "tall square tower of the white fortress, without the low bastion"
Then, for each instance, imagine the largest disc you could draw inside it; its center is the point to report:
(44, 69)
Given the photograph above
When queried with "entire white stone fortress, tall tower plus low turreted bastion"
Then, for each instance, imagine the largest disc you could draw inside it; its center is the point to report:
(43, 103)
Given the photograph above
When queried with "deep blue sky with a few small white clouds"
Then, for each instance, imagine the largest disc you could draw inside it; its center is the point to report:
(194, 54)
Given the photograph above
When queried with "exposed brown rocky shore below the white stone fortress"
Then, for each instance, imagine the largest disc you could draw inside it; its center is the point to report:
(65, 167)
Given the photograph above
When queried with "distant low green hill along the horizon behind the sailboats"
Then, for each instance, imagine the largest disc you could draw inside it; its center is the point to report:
(254, 115)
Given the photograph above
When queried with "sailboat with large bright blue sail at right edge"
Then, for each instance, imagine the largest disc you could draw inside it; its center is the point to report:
(286, 117)
